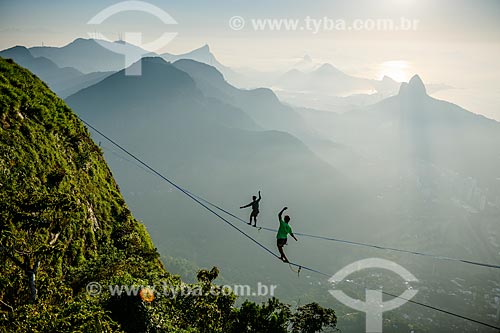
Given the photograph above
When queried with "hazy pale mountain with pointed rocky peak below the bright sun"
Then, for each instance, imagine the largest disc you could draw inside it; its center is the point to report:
(412, 125)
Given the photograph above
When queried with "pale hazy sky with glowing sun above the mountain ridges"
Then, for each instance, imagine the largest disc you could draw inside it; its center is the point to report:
(456, 42)
